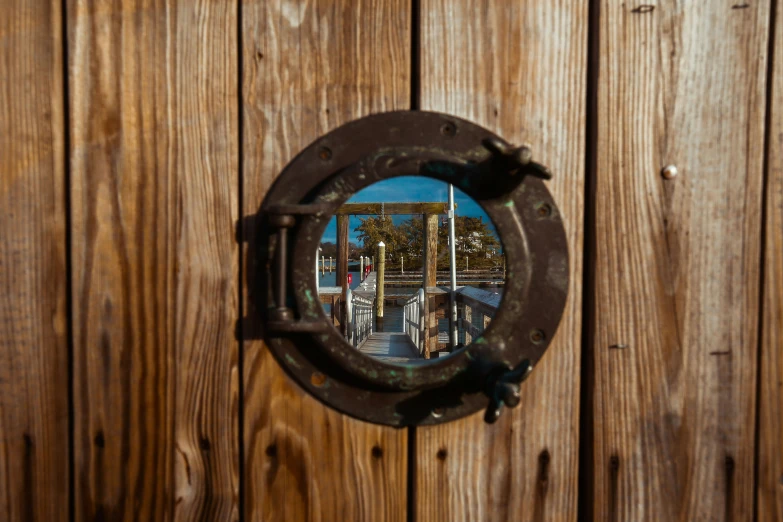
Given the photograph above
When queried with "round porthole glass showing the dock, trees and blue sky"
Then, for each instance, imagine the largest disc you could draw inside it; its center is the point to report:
(386, 270)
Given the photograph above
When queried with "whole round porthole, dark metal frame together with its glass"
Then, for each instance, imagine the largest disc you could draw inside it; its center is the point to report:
(412, 268)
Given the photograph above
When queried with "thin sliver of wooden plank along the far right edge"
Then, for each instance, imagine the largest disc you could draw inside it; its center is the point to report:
(770, 450)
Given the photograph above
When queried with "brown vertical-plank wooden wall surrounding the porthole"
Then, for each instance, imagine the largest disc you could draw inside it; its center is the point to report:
(136, 134)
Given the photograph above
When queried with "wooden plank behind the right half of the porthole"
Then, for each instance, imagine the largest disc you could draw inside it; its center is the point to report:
(518, 69)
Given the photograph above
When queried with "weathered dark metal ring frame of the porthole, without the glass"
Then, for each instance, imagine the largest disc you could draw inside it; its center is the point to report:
(380, 147)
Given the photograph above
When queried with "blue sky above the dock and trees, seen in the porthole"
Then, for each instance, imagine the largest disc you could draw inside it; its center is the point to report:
(405, 189)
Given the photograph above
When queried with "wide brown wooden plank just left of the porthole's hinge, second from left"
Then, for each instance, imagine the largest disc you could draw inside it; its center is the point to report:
(153, 88)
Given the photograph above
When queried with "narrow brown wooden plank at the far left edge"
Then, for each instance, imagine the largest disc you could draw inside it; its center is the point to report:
(34, 433)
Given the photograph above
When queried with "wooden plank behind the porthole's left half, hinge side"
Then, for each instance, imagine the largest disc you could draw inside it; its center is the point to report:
(307, 68)
